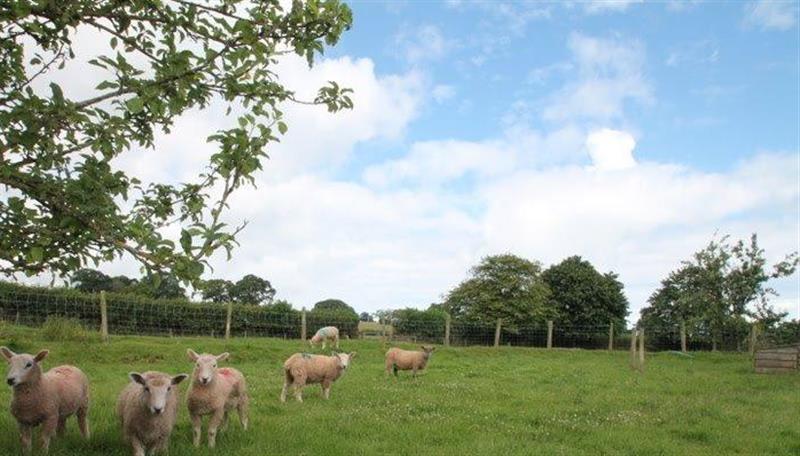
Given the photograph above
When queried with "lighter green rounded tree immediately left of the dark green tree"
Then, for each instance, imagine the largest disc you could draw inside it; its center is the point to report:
(502, 286)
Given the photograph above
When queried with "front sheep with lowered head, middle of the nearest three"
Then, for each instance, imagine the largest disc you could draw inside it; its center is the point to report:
(147, 409)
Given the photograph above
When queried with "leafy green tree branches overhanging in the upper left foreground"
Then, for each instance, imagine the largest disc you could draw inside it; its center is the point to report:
(64, 203)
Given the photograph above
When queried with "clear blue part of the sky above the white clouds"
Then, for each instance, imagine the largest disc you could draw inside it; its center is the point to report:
(724, 85)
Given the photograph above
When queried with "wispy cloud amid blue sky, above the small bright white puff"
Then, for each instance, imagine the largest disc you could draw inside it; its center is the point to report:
(610, 73)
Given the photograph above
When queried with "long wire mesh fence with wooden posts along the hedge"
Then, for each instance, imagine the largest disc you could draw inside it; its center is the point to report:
(135, 315)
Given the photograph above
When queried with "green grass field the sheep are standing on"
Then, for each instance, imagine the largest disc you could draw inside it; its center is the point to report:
(469, 401)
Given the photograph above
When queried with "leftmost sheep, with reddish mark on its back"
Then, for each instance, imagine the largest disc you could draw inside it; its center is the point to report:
(45, 398)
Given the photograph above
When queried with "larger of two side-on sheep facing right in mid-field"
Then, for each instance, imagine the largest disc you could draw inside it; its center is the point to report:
(302, 369)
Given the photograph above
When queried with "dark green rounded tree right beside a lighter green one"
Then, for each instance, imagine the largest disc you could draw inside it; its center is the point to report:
(583, 297)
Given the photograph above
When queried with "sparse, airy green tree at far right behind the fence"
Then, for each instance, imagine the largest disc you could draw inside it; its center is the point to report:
(717, 288)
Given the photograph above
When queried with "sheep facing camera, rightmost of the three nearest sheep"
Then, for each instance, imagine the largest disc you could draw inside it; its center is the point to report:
(215, 392)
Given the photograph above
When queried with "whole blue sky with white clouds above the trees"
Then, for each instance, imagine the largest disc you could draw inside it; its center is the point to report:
(626, 132)
